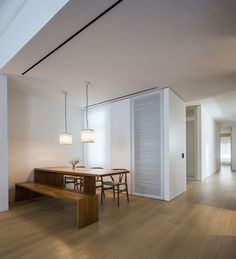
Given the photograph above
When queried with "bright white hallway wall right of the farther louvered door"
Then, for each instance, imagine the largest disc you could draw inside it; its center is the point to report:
(210, 143)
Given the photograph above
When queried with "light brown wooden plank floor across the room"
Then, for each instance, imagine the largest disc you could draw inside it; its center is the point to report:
(199, 224)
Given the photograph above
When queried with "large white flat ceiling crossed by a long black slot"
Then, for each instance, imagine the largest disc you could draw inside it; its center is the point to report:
(189, 45)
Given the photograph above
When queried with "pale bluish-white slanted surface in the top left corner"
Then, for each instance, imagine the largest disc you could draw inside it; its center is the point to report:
(32, 16)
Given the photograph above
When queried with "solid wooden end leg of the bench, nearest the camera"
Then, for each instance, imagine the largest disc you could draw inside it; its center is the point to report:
(87, 211)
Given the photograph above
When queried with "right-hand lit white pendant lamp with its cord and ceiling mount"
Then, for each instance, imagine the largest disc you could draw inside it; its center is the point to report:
(87, 135)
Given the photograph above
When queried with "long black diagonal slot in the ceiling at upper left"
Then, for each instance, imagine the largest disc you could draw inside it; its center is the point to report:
(74, 35)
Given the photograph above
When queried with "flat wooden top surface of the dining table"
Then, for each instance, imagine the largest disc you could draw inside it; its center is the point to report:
(82, 171)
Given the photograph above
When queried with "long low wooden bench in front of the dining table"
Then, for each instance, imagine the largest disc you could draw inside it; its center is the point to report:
(87, 205)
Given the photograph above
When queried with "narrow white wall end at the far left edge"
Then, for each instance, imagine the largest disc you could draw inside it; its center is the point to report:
(3, 145)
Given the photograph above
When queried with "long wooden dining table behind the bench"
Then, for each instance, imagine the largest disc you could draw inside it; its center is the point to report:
(55, 176)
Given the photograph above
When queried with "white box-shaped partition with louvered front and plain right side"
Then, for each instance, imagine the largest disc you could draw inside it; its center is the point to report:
(159, 145)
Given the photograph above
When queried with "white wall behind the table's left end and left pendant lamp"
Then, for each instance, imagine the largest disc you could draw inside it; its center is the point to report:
(34, 125)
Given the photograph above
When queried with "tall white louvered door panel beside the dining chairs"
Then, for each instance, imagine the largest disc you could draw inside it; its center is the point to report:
(147, 145)
